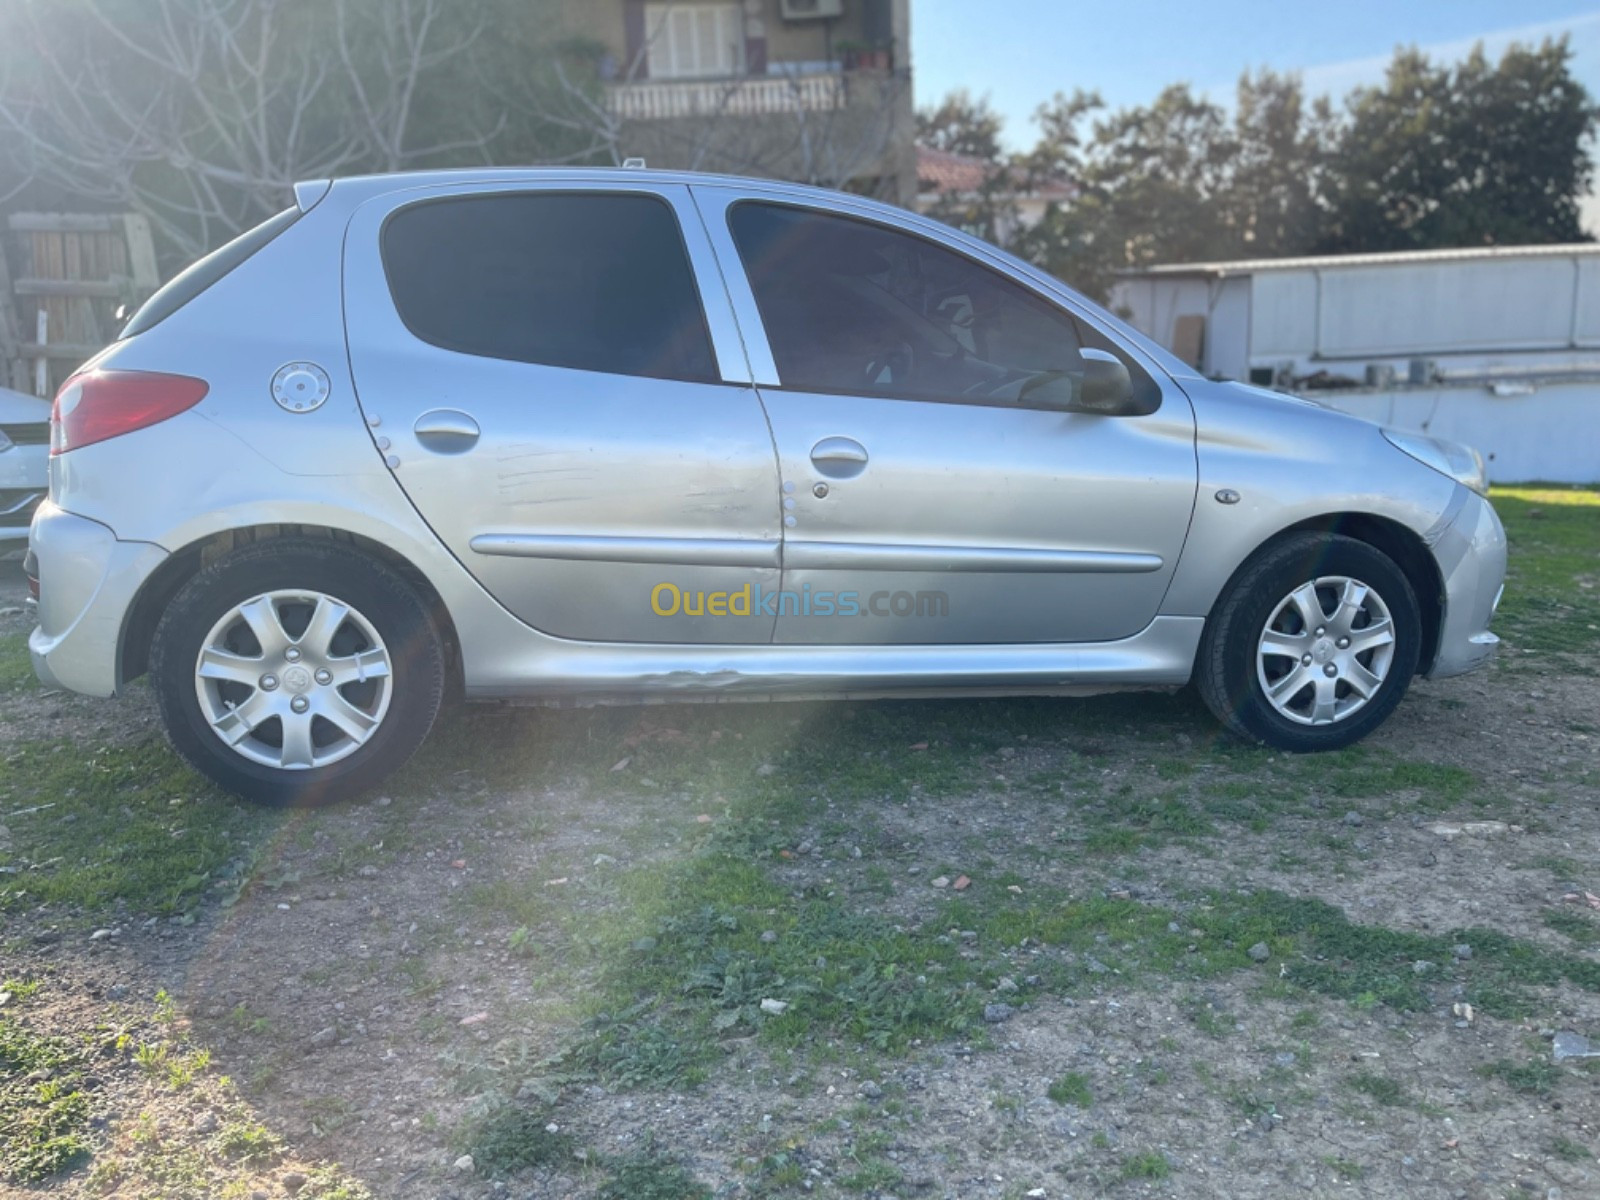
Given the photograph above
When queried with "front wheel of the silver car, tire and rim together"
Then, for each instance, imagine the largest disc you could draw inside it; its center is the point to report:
(1311, 646)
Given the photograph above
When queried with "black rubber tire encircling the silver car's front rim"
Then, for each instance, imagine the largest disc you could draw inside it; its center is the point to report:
(1228, 676)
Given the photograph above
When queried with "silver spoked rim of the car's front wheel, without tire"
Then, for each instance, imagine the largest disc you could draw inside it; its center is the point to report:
(1326, 650)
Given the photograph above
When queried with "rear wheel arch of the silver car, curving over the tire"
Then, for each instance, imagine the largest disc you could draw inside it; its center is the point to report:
(134, 654)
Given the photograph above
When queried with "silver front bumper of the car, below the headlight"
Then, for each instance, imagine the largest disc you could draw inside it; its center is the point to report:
(1471, 556)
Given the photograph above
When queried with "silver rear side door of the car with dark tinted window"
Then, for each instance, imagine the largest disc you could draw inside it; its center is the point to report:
(567, 404)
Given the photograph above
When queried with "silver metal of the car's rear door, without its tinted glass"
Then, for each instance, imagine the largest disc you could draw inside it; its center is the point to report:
(593, 505)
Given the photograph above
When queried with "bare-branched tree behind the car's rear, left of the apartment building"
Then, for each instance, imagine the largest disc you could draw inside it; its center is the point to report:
(201, 114)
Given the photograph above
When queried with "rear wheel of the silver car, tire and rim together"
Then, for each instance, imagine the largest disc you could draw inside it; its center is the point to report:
(297, 673)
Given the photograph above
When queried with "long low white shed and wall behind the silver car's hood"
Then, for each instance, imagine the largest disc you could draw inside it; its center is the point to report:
(1498, 348)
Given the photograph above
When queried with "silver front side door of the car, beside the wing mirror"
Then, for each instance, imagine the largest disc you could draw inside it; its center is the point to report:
(929, 497)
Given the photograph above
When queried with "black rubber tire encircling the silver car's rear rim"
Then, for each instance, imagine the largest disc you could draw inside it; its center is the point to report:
(383, 599)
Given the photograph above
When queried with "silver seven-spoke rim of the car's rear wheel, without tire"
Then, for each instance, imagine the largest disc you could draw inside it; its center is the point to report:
(294, 679)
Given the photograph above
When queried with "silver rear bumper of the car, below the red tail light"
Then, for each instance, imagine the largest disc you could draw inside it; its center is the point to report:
(87, 585)
